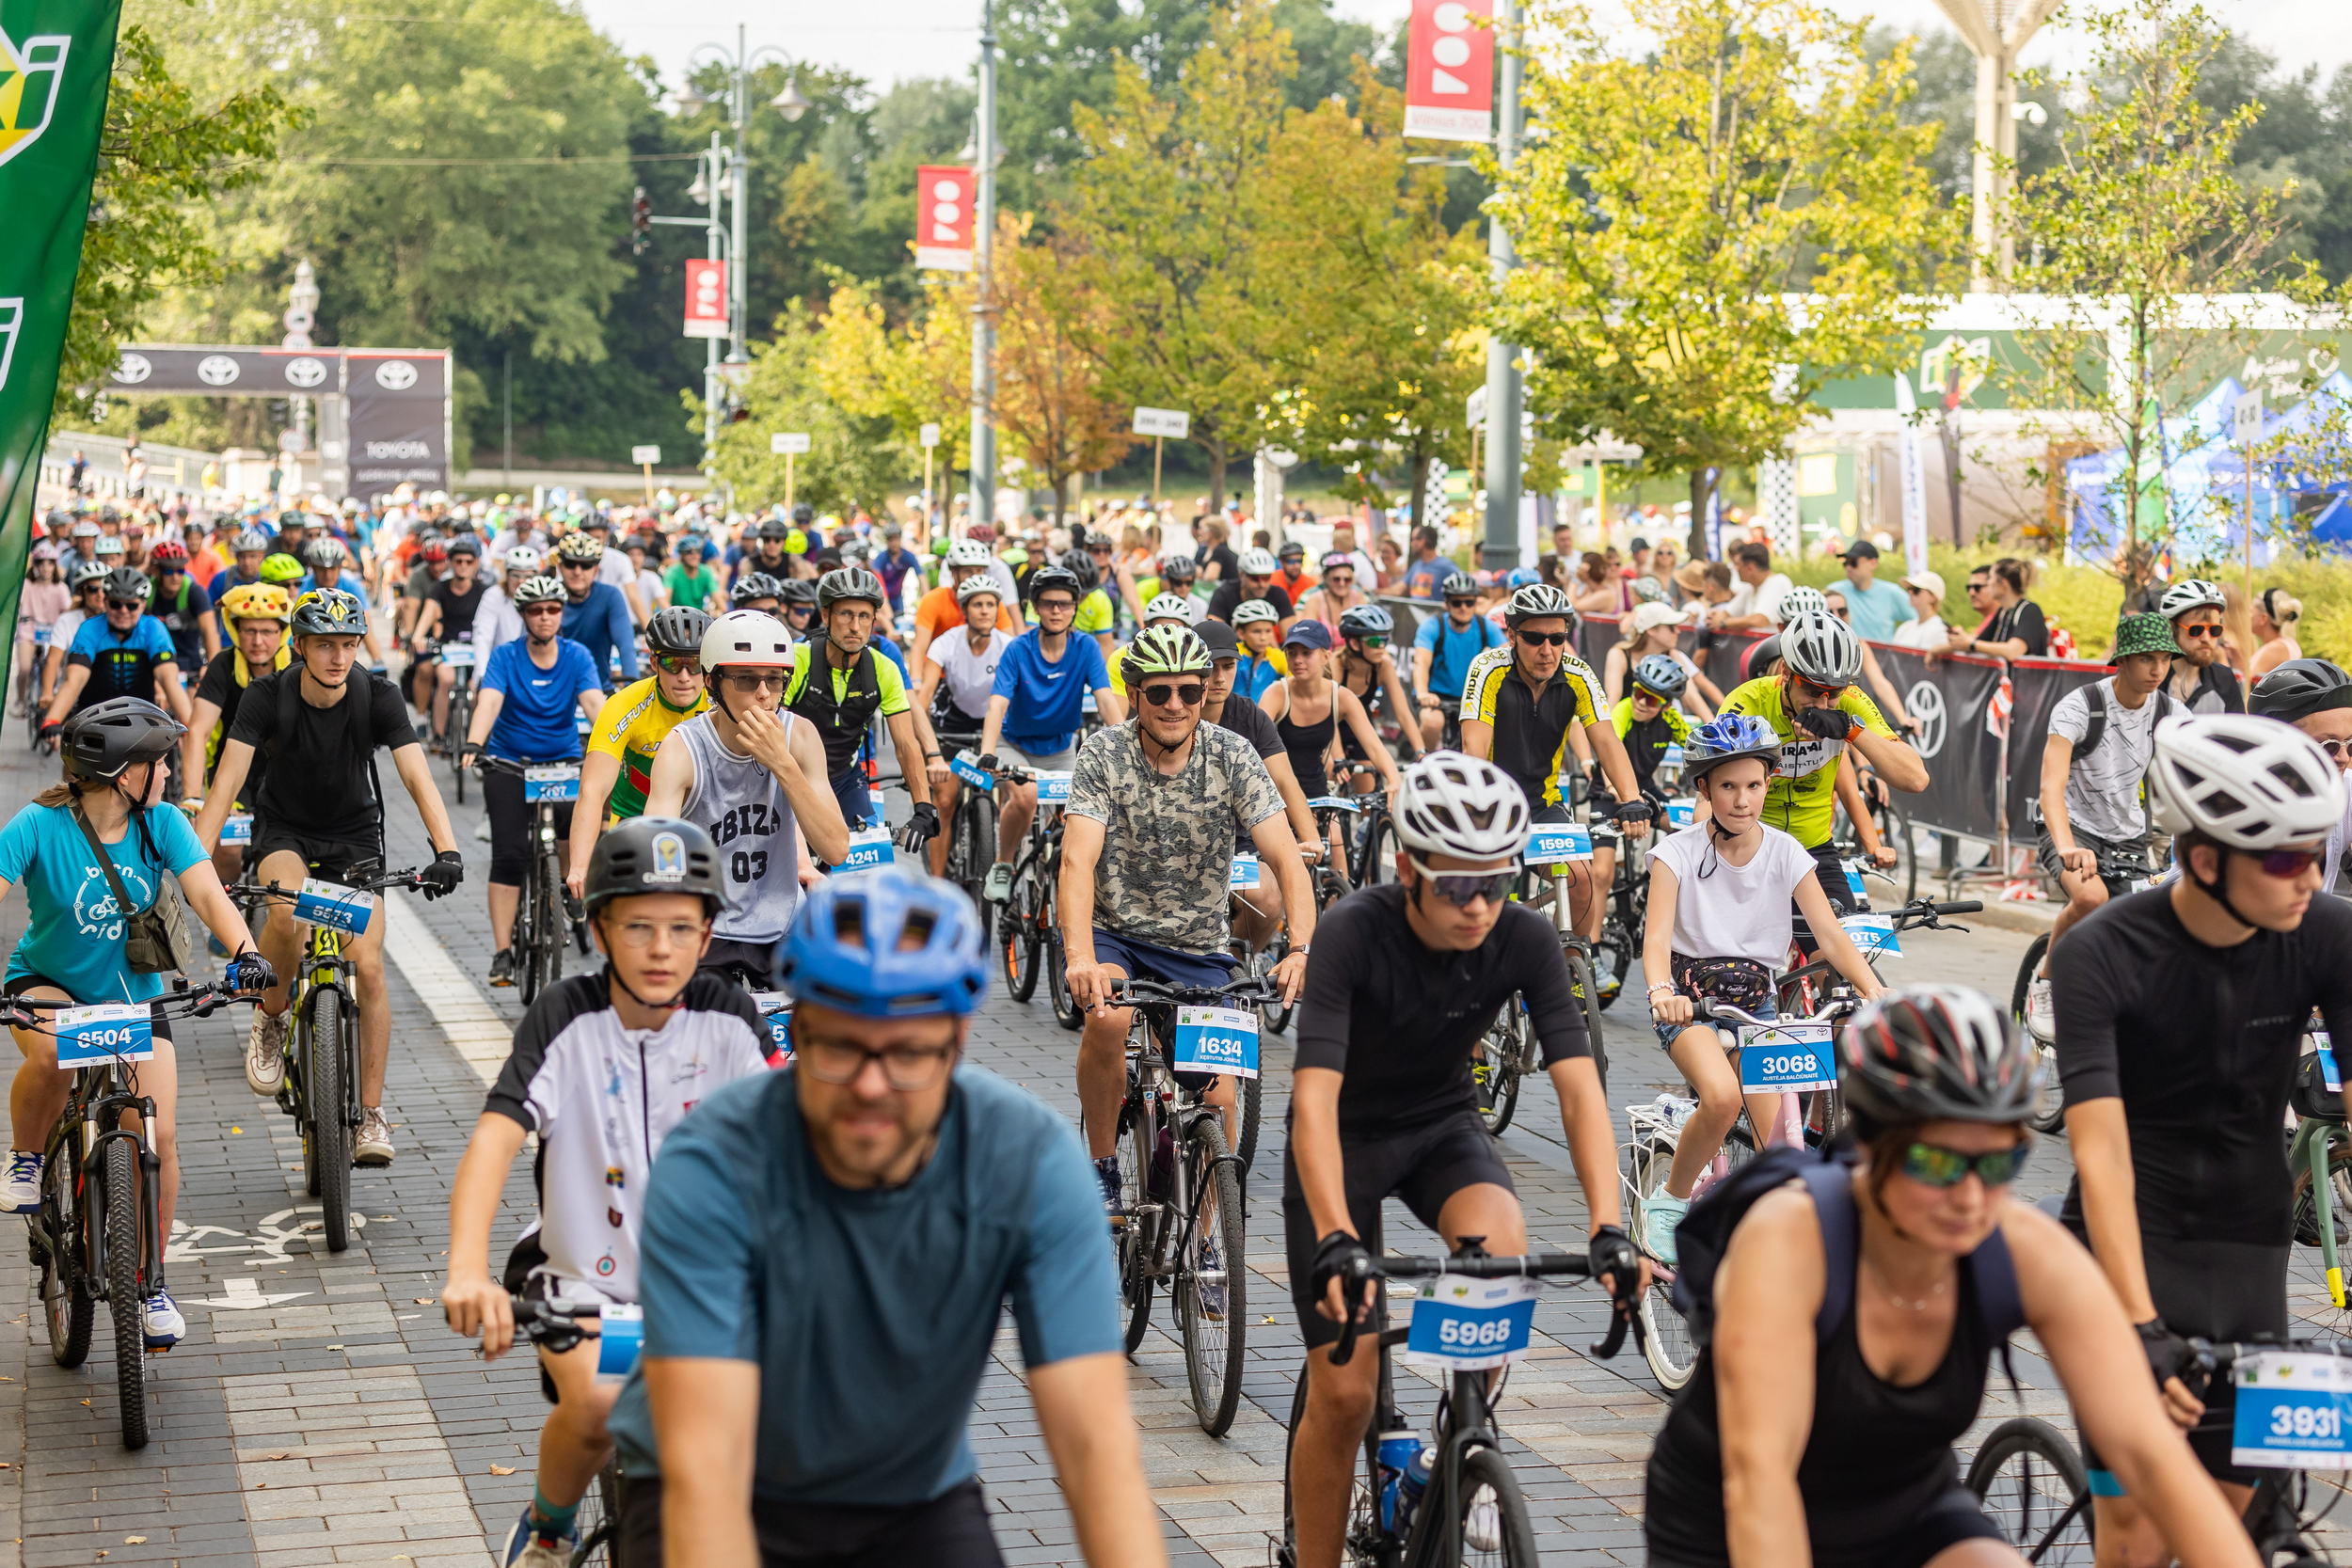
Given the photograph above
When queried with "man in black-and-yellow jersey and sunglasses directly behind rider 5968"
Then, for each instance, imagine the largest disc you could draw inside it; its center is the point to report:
(1523, 709)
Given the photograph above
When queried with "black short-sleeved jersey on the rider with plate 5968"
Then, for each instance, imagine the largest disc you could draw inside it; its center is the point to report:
(1401, 1019)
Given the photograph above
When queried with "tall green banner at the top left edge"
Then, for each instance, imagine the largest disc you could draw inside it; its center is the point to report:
(58, 60)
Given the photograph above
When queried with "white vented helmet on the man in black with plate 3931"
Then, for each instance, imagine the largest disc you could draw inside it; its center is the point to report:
(2243, 782)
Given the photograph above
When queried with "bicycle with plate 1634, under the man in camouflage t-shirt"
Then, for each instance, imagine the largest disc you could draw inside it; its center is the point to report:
(1180, 1217)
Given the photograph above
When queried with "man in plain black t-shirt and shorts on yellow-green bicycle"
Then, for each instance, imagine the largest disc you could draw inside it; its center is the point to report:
(319, 812)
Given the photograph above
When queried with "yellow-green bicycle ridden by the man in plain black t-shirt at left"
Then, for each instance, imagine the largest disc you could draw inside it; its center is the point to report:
(323, 1045)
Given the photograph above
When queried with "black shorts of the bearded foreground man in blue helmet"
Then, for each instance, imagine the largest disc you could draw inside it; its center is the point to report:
(949, 1532)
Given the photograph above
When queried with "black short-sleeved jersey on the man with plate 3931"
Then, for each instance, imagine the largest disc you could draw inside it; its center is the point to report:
(2200, 1045)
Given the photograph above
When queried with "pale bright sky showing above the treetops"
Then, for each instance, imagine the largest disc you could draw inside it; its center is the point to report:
(914, 39)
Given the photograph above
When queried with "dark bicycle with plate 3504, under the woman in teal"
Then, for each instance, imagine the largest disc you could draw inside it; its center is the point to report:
(98, 1233)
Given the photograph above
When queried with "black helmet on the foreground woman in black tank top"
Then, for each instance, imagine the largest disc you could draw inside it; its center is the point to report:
(1935, 1054)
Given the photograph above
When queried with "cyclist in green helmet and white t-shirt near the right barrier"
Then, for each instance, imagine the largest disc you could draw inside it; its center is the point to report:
(2092, 765)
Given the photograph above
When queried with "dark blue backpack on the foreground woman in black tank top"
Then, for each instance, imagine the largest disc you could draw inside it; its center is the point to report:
(1706, 1235)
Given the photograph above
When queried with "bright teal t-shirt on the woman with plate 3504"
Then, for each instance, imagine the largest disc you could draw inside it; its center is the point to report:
(74, 925)
